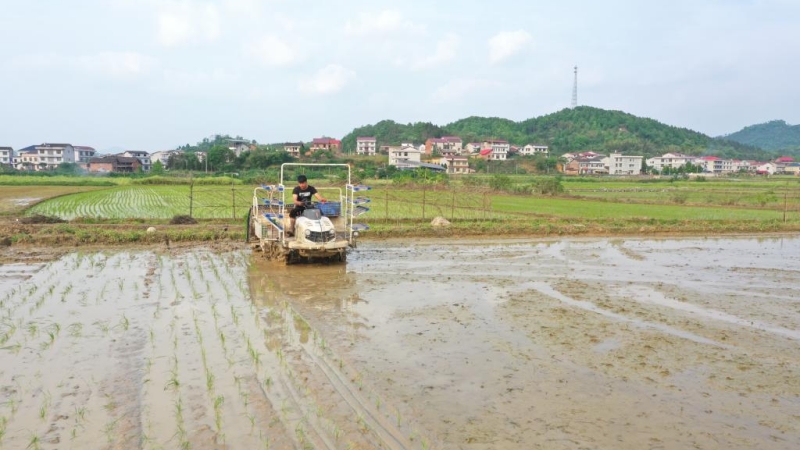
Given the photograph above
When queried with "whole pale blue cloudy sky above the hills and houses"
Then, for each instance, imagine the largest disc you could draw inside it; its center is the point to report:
(155, 74)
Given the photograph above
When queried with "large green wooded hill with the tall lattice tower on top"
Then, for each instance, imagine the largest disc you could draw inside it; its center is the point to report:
(579, 129)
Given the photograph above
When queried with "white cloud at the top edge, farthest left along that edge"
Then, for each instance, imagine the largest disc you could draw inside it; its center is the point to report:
(186, 22)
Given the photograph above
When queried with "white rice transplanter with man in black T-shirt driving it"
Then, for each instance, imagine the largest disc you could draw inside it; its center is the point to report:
(322, 231)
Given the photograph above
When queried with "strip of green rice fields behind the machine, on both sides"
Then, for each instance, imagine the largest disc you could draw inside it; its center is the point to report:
(689, 201)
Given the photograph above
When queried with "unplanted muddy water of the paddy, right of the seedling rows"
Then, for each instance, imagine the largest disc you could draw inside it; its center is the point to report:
(567, 344)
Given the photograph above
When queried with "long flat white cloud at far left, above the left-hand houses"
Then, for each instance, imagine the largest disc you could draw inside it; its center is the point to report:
(115, 65)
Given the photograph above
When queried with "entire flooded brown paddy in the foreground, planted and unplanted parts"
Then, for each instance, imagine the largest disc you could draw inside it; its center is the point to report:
(440, 344)
